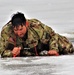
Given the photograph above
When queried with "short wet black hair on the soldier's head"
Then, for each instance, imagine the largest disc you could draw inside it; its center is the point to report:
(18, 19)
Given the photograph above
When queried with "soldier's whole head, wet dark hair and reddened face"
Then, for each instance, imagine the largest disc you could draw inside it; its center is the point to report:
(19, 24)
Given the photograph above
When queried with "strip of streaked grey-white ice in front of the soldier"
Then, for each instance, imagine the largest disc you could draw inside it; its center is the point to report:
(55, 65)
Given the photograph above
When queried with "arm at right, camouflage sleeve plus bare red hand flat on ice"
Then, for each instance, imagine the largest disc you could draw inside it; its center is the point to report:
(53, 42)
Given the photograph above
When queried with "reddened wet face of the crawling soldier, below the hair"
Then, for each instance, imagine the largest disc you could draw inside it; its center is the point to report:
(20, 30)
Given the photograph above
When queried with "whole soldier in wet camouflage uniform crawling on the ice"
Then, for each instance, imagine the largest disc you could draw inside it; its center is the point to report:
(29, 37)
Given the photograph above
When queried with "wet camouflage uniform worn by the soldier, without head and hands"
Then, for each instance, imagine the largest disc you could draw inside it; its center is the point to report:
(38, 38)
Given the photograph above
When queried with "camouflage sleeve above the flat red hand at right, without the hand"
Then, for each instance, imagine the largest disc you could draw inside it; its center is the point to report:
(53, 41)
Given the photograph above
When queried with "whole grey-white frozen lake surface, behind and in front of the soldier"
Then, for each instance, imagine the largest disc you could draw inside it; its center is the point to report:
(58, 14)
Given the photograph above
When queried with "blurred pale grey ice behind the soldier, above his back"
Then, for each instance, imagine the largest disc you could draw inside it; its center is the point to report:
(58, 14)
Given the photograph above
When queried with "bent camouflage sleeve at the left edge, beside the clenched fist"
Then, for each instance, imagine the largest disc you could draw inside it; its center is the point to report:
(4, 49)
